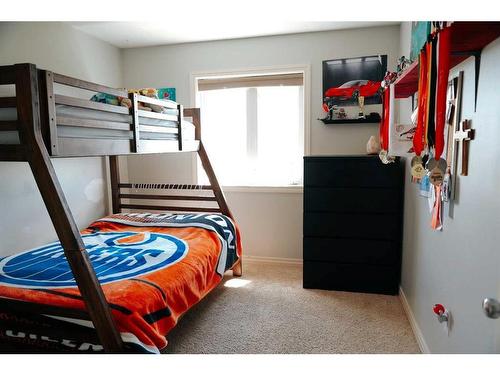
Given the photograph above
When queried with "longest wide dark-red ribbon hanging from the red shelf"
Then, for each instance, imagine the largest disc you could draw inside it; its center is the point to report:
(443, 69)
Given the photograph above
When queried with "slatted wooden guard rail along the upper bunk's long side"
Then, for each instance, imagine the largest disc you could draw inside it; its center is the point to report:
(74, 125)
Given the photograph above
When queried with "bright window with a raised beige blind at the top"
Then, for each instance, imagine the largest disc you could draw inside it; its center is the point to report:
(253, 128)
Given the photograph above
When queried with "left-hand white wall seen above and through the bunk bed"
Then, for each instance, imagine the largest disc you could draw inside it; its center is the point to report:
(24, 222)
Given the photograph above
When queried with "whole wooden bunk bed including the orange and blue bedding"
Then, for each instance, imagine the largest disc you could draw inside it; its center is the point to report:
(85, 312)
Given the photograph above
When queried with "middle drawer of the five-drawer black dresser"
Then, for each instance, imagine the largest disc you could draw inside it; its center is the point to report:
(364, 226)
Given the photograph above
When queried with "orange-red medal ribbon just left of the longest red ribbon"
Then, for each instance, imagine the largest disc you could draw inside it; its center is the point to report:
(419, 138)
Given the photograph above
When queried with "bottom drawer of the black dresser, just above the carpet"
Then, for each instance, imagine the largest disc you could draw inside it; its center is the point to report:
(351, 277)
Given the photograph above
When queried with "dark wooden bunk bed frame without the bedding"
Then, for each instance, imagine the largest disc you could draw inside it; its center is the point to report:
(38, 126)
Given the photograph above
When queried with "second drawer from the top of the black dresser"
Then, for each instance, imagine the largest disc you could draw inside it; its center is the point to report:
(352, 200)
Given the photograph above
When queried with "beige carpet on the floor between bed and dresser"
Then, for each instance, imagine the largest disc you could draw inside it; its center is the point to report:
(272, 313)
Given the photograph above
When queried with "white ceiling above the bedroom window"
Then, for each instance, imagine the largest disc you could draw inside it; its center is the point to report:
(142, 34)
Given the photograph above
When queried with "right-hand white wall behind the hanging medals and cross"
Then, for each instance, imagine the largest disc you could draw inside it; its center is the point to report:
(460, 266)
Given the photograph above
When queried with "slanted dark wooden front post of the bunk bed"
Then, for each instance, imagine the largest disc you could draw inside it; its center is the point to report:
(33, 150)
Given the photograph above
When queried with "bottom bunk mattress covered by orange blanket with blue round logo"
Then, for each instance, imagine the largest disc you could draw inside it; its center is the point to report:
(152, 268)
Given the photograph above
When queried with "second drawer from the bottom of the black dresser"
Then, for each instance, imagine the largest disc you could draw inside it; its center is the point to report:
(343, 250)
